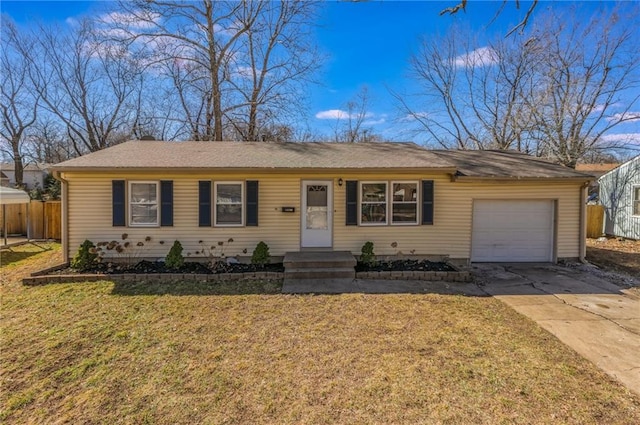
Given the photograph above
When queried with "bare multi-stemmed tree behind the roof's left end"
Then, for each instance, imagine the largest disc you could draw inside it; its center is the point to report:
(90, 87)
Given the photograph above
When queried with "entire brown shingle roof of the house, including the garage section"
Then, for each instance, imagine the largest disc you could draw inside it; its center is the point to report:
(266, 155)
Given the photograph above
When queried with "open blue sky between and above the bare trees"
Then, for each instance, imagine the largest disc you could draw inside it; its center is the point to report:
(366, 43)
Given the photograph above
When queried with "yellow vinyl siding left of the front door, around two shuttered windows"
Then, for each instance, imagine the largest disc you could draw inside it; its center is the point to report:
(90, 216)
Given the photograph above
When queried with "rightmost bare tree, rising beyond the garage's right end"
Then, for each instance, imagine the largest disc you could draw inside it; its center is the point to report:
(584, 71)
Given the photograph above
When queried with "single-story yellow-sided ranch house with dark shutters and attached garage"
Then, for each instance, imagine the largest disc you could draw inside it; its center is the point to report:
(467, 205)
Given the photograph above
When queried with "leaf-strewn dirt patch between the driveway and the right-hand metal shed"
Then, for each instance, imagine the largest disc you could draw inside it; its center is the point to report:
(619, 255)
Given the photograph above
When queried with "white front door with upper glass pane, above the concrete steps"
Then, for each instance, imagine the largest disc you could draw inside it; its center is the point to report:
(317, 214)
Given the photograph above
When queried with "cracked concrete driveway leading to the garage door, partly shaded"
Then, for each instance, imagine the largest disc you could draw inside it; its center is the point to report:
(598, 319)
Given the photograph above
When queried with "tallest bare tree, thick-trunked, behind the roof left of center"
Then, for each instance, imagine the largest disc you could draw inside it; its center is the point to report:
(231, 63)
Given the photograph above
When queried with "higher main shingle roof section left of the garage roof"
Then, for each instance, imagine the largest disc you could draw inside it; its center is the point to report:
(245, 155)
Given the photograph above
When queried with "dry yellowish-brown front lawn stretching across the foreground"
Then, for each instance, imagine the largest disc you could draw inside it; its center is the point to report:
(105, 353)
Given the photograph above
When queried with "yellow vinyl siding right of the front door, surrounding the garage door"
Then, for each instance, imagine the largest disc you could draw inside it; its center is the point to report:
(451, 232)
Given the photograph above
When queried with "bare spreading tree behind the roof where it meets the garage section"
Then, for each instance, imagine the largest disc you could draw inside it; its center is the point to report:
(474, 95)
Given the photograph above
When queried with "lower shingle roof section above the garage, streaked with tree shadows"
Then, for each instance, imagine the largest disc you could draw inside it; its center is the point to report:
(506, 164)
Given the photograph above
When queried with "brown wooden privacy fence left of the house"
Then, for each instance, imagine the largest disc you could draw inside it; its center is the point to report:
(44, 219)
